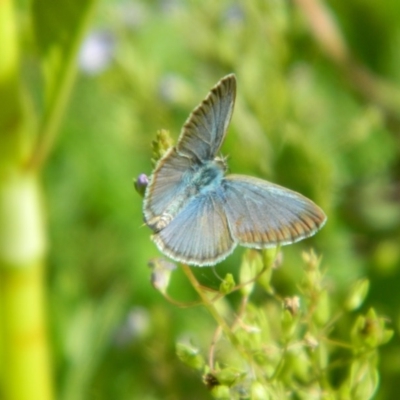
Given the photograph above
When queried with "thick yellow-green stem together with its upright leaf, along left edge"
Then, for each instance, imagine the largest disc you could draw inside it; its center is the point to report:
(25, 370)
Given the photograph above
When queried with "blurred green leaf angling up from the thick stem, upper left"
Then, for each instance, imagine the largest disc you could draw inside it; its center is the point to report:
(59, 27)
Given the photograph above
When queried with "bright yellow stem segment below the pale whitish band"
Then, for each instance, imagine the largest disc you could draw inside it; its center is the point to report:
(26, 372)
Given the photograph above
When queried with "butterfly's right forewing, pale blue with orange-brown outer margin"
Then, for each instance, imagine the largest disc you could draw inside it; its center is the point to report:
(261, 214)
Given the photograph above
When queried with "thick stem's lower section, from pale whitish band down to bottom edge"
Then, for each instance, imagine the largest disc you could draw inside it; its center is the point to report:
(24, 368)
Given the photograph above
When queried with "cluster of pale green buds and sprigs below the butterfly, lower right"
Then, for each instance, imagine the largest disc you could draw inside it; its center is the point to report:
(293, 344)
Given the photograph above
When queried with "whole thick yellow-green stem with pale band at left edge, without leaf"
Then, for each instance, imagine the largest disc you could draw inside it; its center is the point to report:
(24, 361)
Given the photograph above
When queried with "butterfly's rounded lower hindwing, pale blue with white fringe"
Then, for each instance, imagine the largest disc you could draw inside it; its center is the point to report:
(199, 234)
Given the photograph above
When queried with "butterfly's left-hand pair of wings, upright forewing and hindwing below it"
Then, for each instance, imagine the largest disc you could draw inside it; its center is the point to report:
(199, 141)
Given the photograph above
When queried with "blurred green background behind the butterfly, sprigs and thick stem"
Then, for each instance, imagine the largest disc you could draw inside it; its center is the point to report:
(317, 110)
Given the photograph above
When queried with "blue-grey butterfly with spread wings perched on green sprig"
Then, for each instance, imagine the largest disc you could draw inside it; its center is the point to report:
(198, 214)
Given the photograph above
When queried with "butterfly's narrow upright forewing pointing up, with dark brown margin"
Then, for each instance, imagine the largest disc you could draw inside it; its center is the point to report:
(204, 131)
